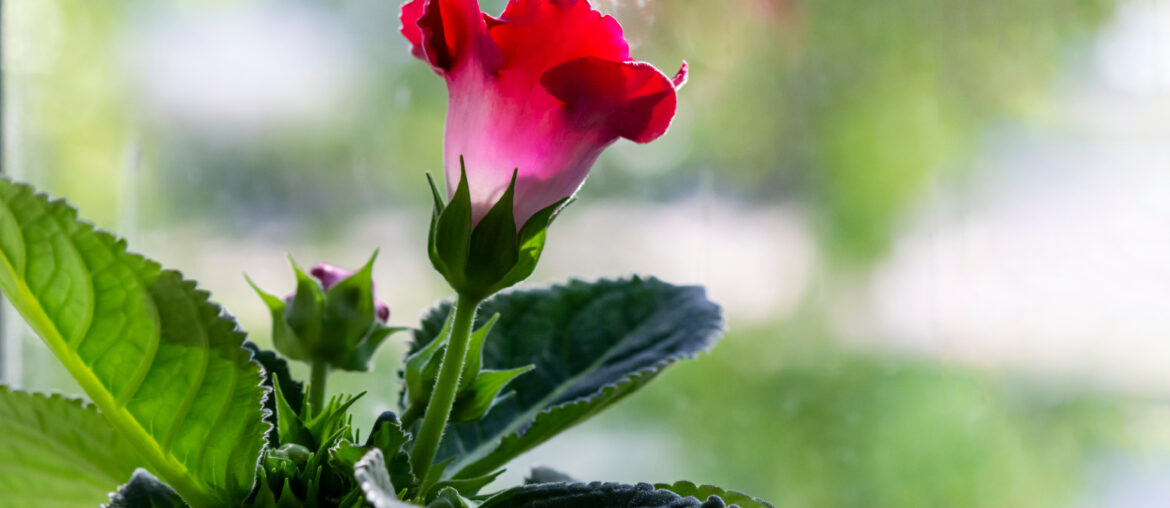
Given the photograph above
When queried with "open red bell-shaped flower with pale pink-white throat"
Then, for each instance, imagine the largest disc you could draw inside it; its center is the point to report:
(543, 90)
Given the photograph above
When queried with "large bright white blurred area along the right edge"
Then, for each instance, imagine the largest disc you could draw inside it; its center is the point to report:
(1057, 257)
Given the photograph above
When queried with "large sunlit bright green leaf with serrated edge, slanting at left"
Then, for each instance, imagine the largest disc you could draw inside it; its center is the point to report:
(164, 366)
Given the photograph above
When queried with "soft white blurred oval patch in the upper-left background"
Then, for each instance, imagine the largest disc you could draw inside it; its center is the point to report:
(237, 68)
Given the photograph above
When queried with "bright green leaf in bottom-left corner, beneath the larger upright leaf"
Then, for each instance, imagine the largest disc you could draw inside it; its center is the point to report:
(58, 451)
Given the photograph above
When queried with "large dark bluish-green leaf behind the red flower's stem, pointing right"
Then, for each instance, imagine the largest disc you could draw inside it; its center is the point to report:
(593, 344)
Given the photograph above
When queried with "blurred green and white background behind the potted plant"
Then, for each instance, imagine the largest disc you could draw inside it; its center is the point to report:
(939, 229)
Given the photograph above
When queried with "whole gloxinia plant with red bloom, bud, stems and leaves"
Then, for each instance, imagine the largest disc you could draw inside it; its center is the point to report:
(184, 411)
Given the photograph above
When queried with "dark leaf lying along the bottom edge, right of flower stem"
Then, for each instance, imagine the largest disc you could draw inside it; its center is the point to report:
(594, 496)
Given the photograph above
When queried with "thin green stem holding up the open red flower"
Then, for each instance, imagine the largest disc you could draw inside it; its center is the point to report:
(435, 422)
